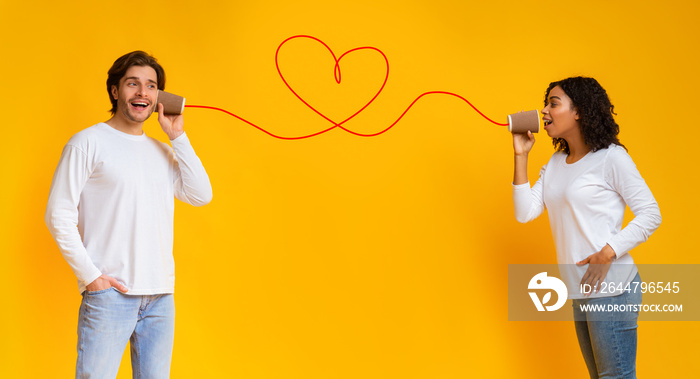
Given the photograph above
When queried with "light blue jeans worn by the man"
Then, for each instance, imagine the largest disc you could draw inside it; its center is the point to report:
(108, 319)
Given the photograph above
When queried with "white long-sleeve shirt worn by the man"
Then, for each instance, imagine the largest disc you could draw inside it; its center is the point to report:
(111, 206)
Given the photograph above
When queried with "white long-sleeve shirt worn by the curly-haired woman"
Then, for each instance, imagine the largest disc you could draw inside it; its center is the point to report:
(586, 205)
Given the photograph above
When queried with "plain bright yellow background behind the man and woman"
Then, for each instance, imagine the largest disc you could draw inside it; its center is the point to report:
(341, 256)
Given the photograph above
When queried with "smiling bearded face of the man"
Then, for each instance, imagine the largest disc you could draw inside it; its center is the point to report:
(136, 95)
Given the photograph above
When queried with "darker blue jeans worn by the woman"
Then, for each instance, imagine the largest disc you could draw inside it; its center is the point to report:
(608, 340)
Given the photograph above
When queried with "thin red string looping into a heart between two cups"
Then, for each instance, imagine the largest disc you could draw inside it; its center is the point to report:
(337, 75)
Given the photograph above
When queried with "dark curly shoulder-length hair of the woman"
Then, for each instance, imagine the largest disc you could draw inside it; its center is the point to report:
(596, 120)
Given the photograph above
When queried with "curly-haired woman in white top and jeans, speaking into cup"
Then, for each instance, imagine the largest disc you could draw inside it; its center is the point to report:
(585, 187)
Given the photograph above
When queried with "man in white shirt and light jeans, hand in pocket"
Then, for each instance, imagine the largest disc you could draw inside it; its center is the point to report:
(110, 210)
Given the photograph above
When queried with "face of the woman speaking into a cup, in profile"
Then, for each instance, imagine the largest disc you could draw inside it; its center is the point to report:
(560, 116)
